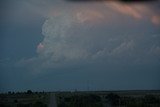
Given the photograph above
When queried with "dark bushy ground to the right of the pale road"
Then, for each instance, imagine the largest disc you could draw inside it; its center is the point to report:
(109, 99)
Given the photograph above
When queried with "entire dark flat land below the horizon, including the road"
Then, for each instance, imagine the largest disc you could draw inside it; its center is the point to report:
(82, 99)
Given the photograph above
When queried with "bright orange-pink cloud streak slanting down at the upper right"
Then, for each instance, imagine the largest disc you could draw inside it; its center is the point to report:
(137, 11)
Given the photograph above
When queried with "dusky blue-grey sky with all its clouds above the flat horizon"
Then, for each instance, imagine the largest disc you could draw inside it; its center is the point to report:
(66, 45)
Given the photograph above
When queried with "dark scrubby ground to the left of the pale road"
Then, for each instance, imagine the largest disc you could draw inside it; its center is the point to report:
(24, 99)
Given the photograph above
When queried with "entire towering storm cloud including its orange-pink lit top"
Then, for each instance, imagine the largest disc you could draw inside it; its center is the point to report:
(109, 32)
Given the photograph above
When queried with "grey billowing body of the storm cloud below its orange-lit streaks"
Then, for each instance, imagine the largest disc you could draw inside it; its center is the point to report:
(69, 40)
